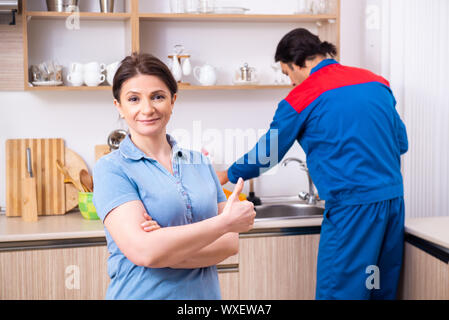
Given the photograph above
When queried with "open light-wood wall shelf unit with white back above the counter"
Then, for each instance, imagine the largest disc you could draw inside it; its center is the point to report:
(141, 27)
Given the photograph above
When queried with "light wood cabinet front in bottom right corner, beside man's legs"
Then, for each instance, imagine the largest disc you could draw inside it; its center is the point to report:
(423, 276)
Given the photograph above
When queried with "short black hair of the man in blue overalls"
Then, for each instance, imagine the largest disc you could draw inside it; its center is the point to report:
(300, 45)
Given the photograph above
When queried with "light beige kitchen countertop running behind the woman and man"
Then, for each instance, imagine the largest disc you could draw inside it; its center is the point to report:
(73, 226)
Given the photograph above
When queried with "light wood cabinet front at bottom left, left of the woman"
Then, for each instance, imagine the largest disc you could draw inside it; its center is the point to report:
(69, 273)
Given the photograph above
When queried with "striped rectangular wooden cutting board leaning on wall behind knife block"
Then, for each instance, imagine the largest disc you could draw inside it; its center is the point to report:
(50, 190)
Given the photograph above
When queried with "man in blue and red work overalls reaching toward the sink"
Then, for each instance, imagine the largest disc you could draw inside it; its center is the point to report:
(345, 120)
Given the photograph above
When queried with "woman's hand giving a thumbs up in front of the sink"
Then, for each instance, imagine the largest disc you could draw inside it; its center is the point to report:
(239, 214)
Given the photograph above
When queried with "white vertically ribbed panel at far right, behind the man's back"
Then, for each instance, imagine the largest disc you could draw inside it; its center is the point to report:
(416, 59)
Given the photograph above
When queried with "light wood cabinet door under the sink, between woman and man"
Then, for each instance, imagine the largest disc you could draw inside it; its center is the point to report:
(281, 267)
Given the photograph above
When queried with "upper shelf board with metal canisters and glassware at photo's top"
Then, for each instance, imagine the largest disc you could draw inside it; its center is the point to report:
(203, 10)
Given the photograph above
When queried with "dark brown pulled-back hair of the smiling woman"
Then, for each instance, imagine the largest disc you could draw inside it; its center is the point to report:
(146, 64)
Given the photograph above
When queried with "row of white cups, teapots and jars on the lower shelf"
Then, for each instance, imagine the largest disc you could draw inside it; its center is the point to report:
(95, 74)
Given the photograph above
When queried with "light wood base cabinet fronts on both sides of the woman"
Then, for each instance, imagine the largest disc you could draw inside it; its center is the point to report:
(267, 267)
